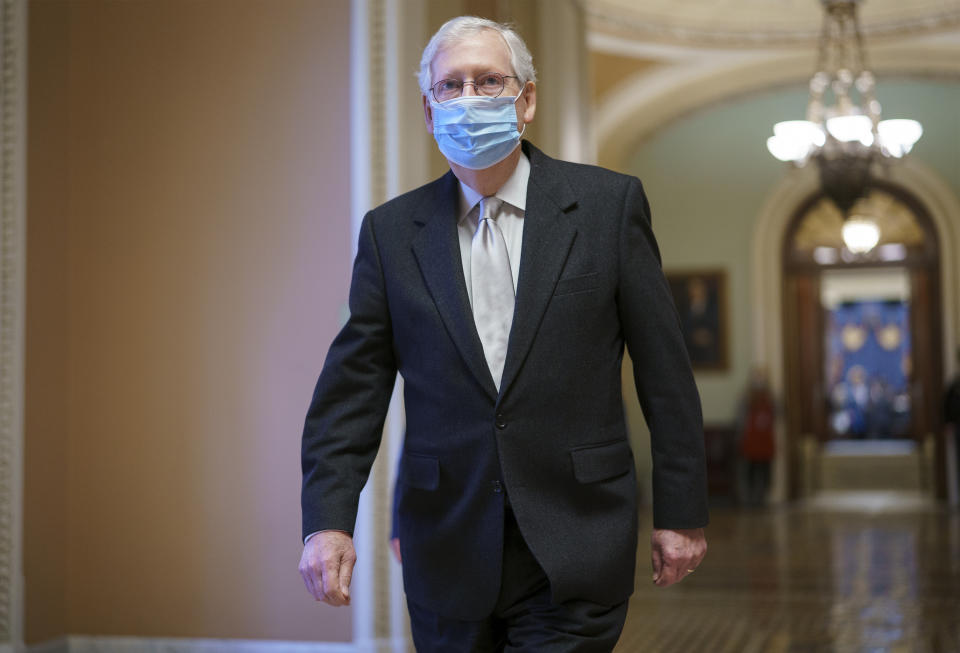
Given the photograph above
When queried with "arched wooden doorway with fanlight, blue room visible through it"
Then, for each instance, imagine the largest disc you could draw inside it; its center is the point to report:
(862, 354)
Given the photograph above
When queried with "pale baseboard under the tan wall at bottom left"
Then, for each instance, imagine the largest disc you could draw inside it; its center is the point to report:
(85, 644)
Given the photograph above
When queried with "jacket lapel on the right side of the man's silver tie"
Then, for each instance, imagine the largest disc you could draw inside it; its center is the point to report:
(547, 237)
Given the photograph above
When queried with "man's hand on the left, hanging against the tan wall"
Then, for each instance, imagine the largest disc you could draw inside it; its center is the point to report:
(327, 566)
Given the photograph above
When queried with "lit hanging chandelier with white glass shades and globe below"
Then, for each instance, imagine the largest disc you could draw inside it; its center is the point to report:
(843, 131)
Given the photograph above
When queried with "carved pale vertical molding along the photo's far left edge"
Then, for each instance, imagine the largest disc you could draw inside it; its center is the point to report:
(13, 50)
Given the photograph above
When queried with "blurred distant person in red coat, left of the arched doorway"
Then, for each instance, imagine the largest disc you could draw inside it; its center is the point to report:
(757, 439)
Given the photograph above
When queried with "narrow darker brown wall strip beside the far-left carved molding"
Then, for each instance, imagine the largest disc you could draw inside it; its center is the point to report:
(46, 536)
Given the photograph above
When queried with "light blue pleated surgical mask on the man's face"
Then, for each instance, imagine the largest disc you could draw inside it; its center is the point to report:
(476, 131)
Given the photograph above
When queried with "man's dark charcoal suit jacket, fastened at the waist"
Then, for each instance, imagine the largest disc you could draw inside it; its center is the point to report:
(554, 437)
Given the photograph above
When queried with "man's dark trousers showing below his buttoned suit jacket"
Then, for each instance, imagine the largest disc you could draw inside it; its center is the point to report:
(524, 618)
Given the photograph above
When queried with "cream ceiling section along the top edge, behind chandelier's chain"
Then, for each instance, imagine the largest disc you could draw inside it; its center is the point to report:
(758, 23)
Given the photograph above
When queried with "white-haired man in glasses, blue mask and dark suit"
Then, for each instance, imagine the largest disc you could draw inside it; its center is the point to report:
(504, 293)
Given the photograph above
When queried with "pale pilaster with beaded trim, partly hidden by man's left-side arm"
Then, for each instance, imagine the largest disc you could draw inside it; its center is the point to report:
(388, 157)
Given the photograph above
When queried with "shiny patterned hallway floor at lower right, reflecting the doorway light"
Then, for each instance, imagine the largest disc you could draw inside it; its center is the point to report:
(860, 572)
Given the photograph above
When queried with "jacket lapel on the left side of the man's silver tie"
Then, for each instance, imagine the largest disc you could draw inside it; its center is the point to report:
(437, 250)
